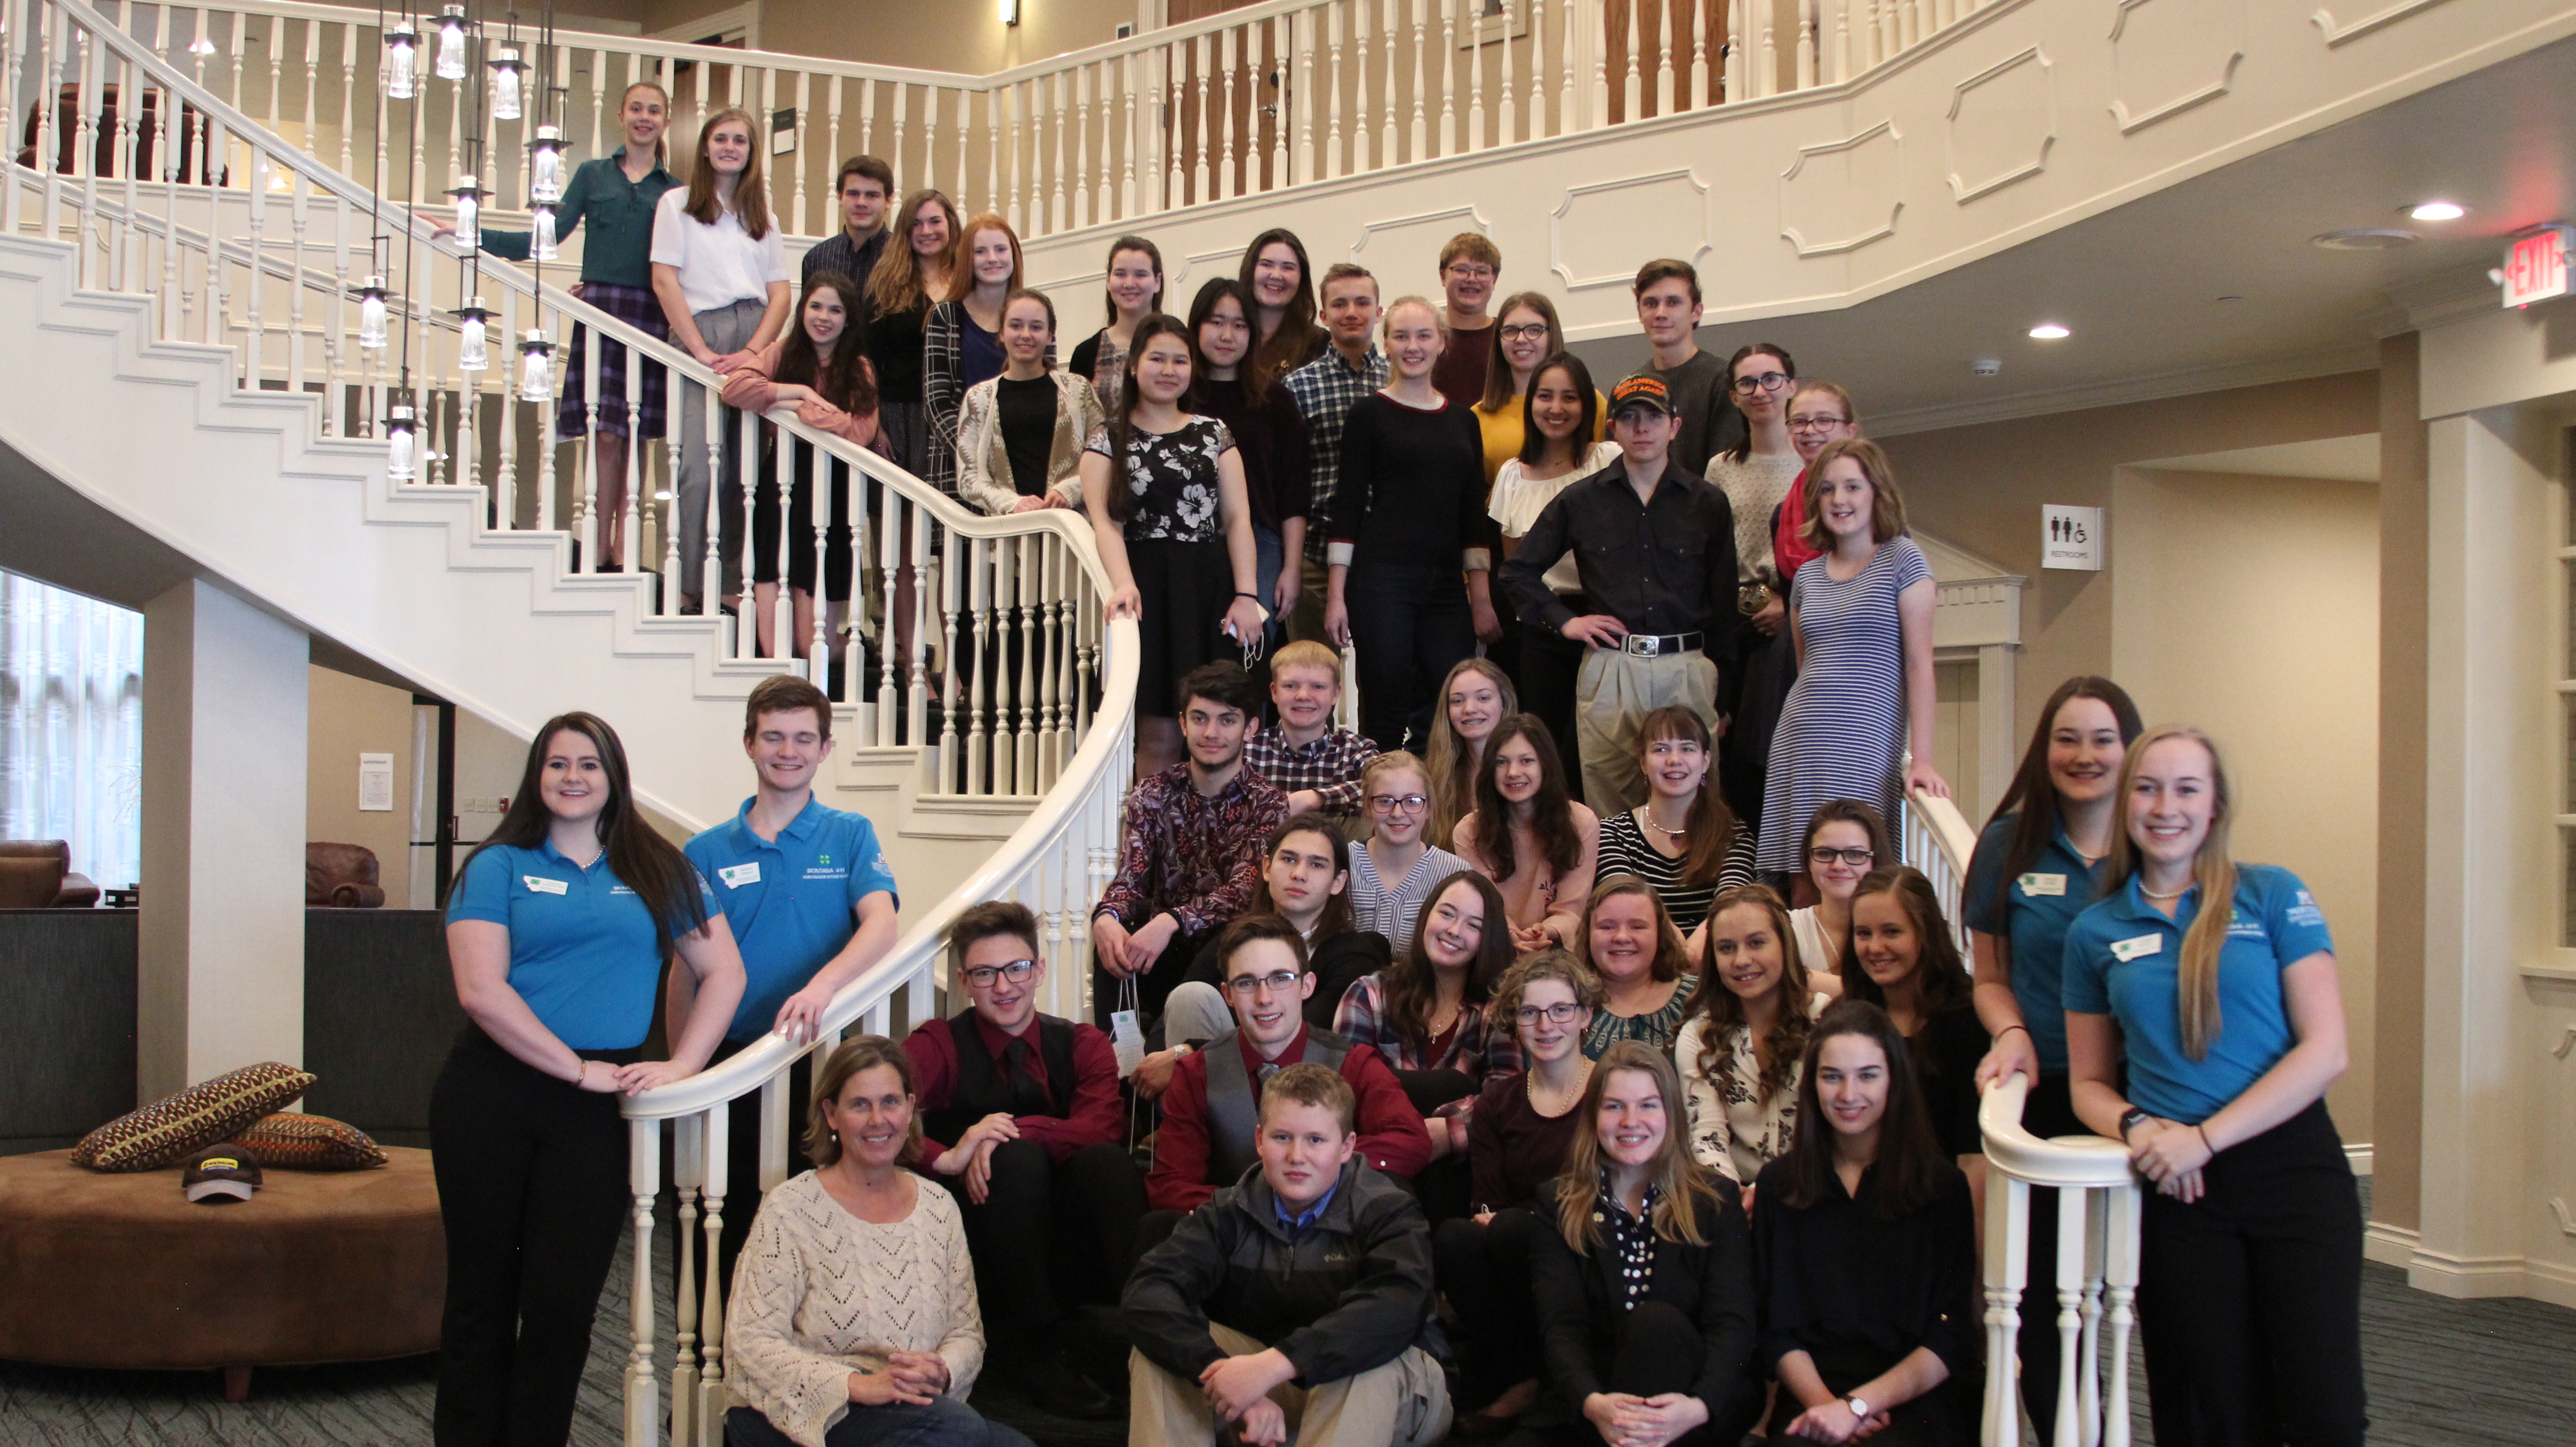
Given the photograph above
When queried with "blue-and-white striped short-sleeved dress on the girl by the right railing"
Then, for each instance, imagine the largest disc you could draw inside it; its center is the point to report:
(1843, 730)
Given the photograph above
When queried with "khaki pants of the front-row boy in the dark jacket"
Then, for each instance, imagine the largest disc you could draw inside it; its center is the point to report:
(1400, 1405)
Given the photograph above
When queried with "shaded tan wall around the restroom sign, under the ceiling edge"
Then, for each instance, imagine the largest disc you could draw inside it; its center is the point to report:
(1982, 488)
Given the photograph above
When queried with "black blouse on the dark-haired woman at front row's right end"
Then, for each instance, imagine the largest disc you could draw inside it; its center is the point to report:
(1861, 1294)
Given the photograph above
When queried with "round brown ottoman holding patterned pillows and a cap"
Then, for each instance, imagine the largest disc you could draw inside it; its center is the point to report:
(316, 1268)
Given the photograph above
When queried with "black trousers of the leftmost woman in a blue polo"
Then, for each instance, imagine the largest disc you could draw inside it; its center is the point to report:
(532, 1191)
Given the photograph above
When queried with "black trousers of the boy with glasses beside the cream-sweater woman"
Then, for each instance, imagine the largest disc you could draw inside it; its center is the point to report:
(1050, 1235)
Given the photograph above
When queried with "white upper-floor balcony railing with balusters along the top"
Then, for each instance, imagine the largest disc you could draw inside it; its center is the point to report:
(1248, 102)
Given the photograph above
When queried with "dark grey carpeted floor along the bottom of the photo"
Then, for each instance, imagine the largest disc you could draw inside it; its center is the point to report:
(2441, 1374)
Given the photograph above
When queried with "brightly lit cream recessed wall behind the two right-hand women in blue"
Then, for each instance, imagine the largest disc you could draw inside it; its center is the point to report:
(2219, 575)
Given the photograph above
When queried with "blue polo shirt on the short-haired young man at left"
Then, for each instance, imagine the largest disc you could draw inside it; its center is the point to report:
(790, 902)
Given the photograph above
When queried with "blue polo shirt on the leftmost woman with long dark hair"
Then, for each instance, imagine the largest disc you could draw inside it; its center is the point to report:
(583, 951)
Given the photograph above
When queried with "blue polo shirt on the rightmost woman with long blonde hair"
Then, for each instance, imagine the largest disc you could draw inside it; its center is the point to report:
(2124, 962)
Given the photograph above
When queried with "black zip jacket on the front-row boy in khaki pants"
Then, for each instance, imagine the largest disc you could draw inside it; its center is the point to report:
(1338, 1299)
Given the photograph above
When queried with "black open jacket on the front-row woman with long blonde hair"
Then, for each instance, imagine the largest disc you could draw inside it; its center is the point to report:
(1580, 1307)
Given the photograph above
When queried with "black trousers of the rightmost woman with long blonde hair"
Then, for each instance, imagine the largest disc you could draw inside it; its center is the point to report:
(2253, 1296)
